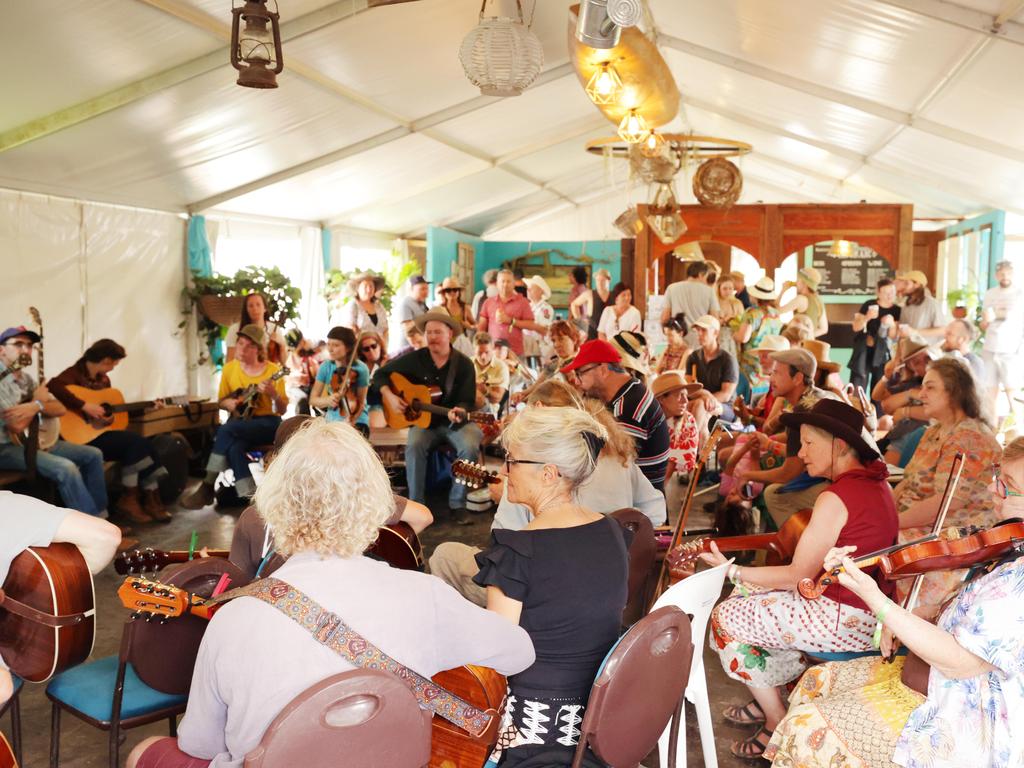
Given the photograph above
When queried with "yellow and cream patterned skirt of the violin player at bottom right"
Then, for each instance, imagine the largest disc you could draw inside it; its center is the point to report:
(844, 715)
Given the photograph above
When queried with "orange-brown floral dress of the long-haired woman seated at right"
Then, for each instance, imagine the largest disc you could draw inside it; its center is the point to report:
(926, 477)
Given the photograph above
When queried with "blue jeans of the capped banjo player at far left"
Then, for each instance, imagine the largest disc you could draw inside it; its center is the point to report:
(77, 472)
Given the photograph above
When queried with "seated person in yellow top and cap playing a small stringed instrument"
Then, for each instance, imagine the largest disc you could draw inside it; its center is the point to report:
(249, 370)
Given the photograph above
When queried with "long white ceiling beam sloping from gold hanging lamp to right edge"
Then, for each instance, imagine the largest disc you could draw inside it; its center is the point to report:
(866, 106)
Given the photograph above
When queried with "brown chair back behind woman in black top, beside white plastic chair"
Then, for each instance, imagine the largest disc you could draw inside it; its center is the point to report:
(639, 691)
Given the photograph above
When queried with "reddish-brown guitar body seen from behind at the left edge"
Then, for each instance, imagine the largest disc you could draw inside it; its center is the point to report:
(48, 613)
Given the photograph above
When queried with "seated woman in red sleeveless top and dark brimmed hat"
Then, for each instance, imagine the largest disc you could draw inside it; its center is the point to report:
(763, 630)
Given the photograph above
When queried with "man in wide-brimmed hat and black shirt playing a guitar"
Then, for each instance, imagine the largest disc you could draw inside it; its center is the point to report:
(453, 373)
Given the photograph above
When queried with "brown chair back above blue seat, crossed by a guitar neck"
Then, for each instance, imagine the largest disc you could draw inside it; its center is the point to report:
(164, 655)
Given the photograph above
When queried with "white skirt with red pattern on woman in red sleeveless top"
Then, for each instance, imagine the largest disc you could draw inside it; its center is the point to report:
(763, 637)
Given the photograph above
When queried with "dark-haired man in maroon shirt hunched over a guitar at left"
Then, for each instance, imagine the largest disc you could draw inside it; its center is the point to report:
(140, 464)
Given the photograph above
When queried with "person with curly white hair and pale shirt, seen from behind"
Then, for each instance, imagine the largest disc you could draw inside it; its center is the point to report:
(326, 495)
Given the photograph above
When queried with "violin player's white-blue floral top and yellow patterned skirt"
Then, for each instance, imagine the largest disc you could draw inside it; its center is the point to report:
(860, 715)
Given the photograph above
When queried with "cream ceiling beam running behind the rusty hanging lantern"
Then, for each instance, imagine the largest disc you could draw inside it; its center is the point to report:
(115, 100)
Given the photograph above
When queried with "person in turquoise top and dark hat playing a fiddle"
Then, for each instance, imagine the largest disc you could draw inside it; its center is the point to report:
(342, 383)
